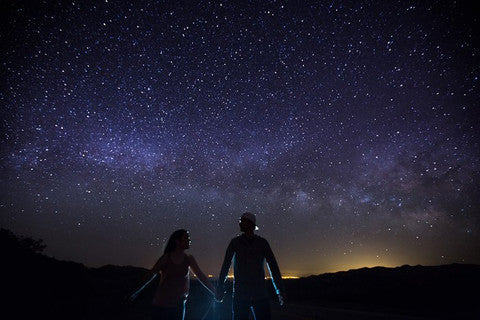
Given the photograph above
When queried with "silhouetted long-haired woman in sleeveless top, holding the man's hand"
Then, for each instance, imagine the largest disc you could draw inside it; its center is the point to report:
(173, 266)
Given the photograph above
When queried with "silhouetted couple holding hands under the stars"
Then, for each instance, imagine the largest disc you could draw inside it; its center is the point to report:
(249, 253)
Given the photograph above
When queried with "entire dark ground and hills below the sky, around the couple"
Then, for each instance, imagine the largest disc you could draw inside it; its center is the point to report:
(35, 285)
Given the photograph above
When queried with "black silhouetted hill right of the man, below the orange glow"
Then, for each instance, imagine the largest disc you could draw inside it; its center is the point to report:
(420, 290)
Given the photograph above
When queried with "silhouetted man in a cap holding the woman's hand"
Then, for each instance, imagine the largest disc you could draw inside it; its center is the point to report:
(249, 253)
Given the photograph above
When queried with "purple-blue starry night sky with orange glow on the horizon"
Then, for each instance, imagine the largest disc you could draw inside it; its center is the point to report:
(349, 127)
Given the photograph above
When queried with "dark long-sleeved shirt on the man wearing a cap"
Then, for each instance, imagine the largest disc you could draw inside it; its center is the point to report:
(249, 257)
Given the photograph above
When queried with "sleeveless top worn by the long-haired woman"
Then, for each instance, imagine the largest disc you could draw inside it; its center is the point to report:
(174, 283)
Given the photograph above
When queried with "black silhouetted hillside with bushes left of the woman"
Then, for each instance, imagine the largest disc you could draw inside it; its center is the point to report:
(39, 285)
